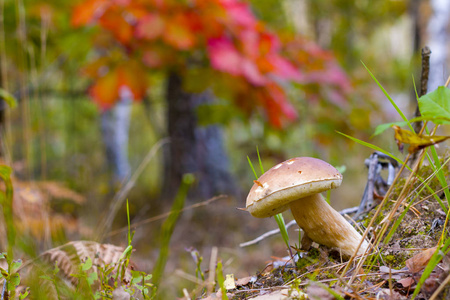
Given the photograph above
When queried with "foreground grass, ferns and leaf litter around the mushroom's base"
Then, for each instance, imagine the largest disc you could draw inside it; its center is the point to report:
(406, 223)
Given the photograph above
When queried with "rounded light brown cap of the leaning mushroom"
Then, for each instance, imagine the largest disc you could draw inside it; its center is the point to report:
(288, 181)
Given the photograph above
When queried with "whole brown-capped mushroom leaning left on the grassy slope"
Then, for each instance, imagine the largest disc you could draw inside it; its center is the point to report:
(297, 184)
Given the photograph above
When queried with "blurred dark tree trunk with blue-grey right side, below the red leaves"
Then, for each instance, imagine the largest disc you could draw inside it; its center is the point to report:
(193, 149)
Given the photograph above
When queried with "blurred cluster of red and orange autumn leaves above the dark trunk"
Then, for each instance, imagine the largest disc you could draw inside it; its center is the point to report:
(168, 34)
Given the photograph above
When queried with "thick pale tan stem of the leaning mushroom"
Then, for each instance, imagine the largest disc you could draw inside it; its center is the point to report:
(325, 226)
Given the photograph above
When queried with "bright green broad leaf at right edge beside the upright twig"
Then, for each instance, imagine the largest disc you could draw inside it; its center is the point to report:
(436, 105)
